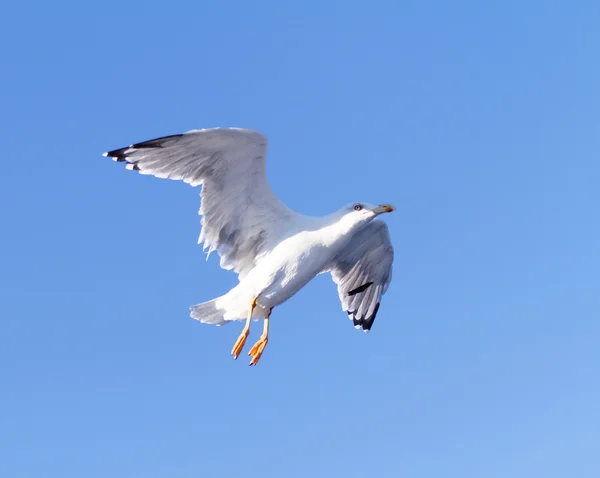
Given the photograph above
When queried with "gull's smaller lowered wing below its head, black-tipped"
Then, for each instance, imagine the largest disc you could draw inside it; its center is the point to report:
(363, 272)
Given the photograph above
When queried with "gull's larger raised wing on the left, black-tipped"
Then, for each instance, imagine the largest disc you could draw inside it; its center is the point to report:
(241, 216)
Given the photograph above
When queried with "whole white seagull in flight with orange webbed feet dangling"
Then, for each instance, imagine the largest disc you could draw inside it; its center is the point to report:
(274, 251)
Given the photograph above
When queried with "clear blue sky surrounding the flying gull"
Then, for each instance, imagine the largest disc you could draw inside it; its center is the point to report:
(478, 120)
